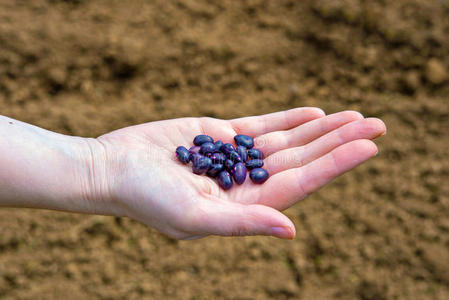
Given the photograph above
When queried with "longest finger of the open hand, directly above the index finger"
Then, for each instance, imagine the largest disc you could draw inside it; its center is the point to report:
(369, 128)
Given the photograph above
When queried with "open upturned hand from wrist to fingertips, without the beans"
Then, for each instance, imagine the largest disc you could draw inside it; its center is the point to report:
(304, 150)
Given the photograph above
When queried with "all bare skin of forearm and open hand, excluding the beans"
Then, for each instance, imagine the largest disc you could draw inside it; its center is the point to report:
(134, 172)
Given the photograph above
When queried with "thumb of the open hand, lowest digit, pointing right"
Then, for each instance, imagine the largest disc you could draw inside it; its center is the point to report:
(235, 219)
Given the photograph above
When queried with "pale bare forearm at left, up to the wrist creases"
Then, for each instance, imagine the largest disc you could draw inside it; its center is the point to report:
(43, 169)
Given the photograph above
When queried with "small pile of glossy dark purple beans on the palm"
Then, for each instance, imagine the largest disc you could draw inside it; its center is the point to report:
(224, 161)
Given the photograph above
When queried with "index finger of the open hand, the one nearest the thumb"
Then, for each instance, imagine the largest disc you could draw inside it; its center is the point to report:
(284, 189)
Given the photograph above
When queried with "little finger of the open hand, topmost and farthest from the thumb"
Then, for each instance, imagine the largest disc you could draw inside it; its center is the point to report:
(282, 120)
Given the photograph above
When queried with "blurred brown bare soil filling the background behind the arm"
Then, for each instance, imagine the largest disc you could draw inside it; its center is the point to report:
(87, 67)
